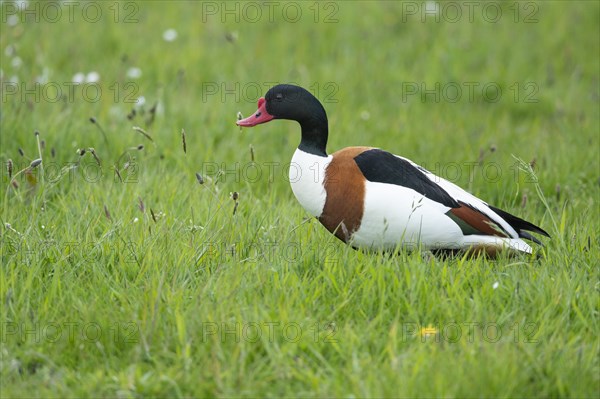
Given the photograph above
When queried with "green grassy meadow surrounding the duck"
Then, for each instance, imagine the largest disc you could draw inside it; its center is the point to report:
(180, 297)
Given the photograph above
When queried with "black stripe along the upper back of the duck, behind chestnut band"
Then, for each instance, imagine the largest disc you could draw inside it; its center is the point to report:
(383, 167)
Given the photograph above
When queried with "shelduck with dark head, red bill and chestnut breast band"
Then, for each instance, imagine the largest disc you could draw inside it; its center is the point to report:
(372, 199)
